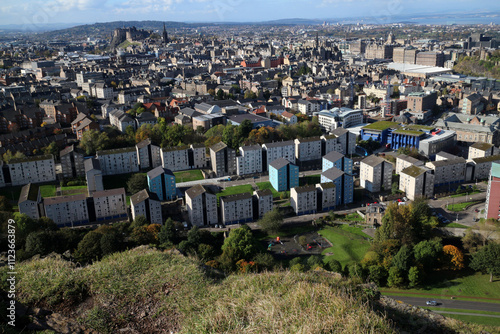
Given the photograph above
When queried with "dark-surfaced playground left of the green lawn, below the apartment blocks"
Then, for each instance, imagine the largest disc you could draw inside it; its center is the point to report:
(304, 244)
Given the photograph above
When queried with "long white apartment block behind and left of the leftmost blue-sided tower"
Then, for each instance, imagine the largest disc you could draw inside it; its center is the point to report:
(118, 161)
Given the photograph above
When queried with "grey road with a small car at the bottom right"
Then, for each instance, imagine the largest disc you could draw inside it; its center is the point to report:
(449, 303)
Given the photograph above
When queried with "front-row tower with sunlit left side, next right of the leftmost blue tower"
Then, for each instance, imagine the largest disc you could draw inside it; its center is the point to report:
(201, 205)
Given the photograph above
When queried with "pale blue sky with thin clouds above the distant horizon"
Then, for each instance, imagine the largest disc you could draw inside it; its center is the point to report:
(40, 12)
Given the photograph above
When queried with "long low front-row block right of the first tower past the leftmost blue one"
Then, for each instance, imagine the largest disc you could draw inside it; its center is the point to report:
(236, 209)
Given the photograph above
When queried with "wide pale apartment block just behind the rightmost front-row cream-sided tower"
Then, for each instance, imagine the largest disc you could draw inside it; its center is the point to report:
(446, 172)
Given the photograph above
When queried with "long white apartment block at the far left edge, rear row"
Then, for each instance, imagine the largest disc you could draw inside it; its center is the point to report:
(35, 169)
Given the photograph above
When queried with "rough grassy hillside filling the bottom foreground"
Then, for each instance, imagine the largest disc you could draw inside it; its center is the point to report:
(148, 291)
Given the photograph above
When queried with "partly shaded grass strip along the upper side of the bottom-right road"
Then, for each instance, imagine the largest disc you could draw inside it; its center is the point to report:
(464, 286)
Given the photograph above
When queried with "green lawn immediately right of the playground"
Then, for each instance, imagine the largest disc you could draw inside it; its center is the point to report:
(348, 244)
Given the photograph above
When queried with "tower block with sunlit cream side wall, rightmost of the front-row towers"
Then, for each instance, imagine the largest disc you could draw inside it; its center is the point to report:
(417, 181)
